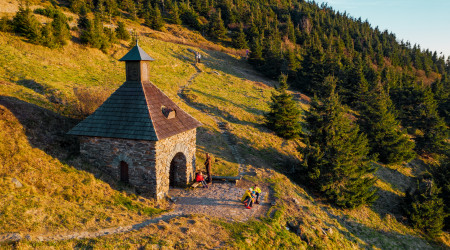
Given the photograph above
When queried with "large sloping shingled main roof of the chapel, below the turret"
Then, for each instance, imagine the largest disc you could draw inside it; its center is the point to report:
(134, 111)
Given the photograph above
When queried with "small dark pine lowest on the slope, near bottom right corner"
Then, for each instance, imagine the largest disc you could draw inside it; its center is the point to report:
(425, 208)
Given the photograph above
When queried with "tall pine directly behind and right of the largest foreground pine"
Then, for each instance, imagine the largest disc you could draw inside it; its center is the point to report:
(386, 139)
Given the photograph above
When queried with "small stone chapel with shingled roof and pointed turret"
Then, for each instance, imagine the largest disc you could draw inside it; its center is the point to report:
(140, 136)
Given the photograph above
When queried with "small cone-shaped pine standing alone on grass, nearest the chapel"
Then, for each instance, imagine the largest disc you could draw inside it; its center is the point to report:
(284, 115)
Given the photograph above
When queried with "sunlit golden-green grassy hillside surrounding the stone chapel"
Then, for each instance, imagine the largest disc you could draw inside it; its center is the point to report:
(61, 193)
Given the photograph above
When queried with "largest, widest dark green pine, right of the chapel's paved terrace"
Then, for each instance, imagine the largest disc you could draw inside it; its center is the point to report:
(335, 157)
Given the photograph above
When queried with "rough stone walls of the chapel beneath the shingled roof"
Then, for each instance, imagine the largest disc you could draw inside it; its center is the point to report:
(148, 161)
